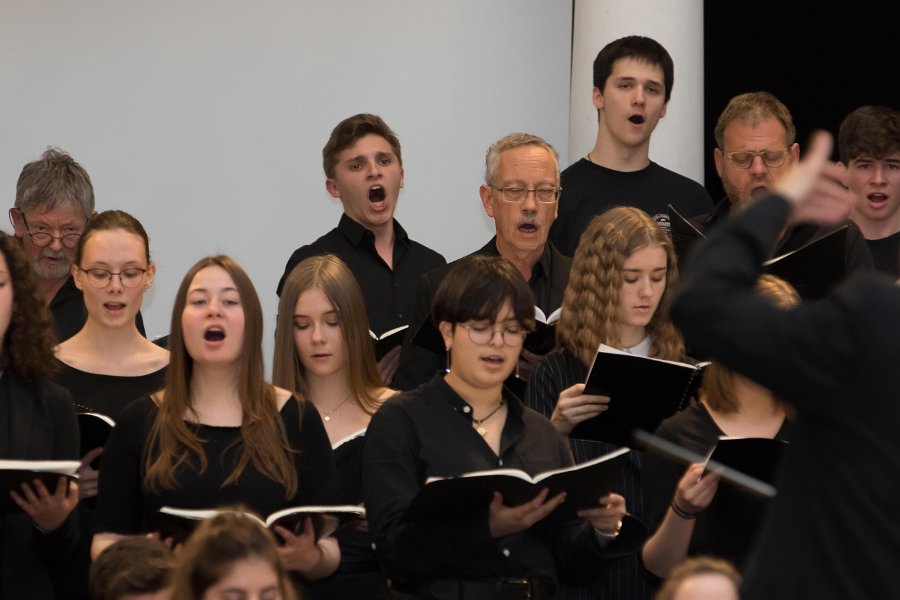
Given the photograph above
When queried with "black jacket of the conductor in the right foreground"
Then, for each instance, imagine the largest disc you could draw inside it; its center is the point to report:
(832, 531)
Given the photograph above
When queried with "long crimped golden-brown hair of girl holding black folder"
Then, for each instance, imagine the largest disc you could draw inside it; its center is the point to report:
(590, 309)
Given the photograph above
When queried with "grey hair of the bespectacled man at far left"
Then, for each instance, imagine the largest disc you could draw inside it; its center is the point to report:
(54, 180)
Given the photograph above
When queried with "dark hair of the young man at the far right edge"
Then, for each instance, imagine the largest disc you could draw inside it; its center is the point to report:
(871, 131)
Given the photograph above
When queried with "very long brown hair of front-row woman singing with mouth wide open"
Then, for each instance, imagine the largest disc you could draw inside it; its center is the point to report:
(172, 442)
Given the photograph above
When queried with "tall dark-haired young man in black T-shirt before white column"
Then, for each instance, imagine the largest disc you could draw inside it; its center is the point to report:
(633, 79)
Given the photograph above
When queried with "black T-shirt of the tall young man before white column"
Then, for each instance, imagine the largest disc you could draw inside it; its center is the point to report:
(589, 190)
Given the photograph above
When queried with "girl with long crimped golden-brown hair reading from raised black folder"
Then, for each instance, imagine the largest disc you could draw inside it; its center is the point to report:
(618, 295)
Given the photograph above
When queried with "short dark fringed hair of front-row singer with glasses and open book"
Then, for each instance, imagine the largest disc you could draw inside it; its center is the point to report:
(475, 289)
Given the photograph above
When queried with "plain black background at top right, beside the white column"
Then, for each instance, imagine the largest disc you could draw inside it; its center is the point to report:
(821, 61)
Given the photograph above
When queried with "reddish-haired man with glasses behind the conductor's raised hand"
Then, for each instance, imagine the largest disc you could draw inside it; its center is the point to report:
(755, 144)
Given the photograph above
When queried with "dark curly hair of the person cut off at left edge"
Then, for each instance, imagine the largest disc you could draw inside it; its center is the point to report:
(29, 340)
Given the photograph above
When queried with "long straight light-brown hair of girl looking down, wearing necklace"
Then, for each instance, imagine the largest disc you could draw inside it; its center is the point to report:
(329, 274)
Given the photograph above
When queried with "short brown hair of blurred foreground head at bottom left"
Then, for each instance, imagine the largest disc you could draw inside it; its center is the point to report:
(131, 565)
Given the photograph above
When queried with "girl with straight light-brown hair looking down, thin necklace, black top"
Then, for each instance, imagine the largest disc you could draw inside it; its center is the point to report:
(323, 350)
